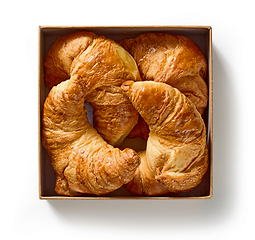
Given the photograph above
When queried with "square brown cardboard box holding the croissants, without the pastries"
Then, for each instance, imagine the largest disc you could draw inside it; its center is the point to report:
(201, 35)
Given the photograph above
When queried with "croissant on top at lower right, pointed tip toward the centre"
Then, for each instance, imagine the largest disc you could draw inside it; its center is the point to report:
(176, 156)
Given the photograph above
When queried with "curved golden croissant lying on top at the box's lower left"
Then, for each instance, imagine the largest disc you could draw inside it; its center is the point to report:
(83, 162)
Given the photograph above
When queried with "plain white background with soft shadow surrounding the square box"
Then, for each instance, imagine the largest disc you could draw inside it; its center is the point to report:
(229, 214)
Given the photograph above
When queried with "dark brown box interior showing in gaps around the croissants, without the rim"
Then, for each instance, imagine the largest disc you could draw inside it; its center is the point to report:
(47, 38)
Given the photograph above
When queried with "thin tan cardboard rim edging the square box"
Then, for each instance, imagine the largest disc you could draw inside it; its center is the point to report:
(210, 63)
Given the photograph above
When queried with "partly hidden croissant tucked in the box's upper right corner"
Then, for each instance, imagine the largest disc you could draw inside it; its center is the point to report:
(175, 60)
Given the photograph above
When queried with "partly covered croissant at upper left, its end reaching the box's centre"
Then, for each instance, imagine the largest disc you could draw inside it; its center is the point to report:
(103, 66)
